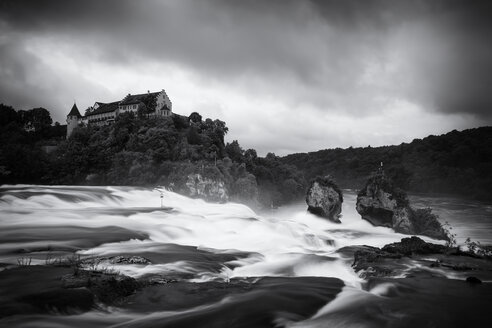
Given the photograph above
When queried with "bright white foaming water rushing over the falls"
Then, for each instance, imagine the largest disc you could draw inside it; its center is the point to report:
(287, 242)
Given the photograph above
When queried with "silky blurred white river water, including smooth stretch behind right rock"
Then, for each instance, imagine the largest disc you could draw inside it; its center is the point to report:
(287, 241)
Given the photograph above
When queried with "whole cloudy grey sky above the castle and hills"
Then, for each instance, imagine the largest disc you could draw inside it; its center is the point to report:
(286, 76)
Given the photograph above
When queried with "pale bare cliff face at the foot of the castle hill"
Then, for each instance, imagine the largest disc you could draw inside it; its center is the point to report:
(209, 189)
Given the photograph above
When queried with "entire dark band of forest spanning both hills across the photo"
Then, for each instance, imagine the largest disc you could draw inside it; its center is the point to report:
(140, 151)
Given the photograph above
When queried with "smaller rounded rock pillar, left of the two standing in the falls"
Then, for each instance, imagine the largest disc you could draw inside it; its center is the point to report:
(325, 199)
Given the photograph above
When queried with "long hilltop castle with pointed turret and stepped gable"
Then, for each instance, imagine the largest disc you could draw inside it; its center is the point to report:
(150, 104)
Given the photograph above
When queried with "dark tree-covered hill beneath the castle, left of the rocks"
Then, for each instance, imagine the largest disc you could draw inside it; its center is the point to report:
(141, 151)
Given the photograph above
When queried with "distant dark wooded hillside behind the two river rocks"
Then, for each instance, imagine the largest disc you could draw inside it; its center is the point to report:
(454, 163)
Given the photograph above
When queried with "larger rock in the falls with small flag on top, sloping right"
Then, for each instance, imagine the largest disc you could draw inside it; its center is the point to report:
(382, 204)
